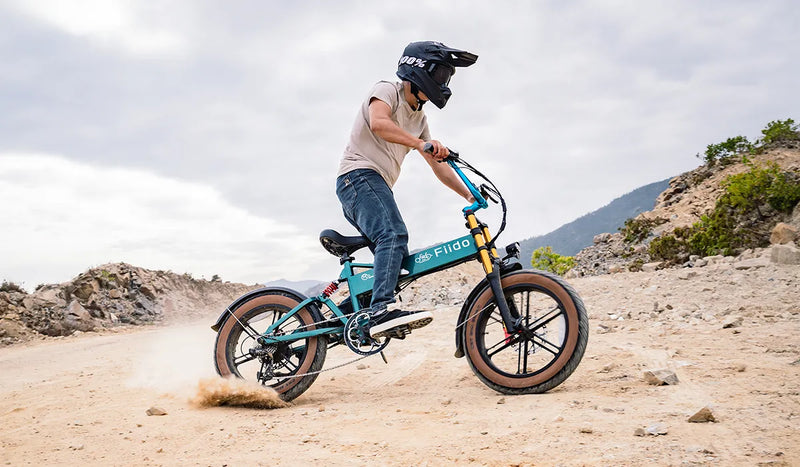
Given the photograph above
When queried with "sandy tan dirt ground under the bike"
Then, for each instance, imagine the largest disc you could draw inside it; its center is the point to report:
(82, 400)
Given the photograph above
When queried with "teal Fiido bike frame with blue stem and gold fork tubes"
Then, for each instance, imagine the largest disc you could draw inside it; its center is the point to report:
(360, 278)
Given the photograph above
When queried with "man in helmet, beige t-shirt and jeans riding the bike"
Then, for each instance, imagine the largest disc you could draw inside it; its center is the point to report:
(389, 124)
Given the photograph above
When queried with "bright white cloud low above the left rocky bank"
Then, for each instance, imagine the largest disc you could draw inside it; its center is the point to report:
(61, 217)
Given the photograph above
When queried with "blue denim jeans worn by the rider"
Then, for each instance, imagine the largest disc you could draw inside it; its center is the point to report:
(368, 203)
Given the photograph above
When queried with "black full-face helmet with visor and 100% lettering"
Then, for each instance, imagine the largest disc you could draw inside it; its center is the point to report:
(429, 65)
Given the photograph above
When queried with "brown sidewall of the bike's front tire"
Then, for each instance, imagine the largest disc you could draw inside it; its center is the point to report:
(572, 315)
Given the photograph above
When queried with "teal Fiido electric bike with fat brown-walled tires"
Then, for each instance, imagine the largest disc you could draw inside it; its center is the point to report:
(522, 331)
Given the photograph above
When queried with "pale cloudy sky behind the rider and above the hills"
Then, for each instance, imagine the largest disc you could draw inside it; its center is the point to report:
(204, 136)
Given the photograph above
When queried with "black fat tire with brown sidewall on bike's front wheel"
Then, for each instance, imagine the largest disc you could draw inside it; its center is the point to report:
(561, 367)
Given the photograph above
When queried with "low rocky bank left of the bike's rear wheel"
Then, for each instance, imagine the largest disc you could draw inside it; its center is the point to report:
(108, 296)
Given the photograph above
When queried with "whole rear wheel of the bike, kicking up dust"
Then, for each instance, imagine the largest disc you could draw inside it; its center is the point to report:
(281, 366)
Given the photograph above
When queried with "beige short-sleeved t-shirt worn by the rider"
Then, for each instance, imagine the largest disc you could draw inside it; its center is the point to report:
(366, 150)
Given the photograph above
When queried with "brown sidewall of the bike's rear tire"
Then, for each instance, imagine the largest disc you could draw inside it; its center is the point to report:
(314, 344)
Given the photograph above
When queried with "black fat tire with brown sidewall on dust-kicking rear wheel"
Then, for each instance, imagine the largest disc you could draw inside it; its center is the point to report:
(312, 360)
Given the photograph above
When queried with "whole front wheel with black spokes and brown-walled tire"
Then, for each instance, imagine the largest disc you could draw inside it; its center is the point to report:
(548, 347)
